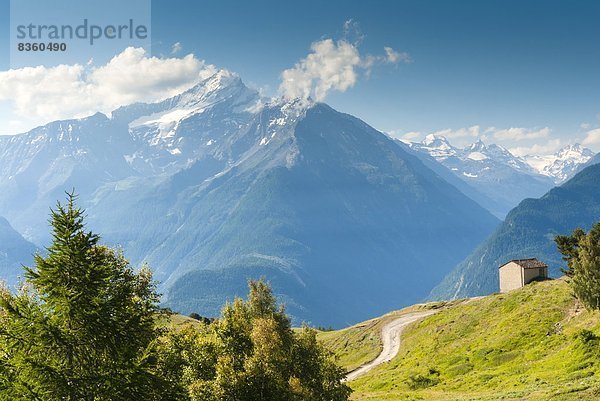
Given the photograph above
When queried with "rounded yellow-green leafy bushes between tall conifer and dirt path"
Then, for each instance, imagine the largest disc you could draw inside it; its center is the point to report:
(251, 353)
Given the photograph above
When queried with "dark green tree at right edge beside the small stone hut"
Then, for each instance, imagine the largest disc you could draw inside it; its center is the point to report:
(581, 251)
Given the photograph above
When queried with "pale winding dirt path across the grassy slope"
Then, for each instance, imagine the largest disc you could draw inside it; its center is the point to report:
(390, 336)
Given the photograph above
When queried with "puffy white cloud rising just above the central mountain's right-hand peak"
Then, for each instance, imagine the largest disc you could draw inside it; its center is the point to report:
(331, 66)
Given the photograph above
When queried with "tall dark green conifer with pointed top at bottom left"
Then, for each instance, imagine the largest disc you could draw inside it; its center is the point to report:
(83, 325)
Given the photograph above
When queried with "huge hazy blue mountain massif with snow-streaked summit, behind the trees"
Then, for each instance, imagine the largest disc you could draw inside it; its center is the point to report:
(218, 185)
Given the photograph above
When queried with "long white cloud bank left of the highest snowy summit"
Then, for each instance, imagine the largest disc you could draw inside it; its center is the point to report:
(38, 95)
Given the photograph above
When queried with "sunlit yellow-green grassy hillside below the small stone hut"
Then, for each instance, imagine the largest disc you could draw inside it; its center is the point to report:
(536, 343)
